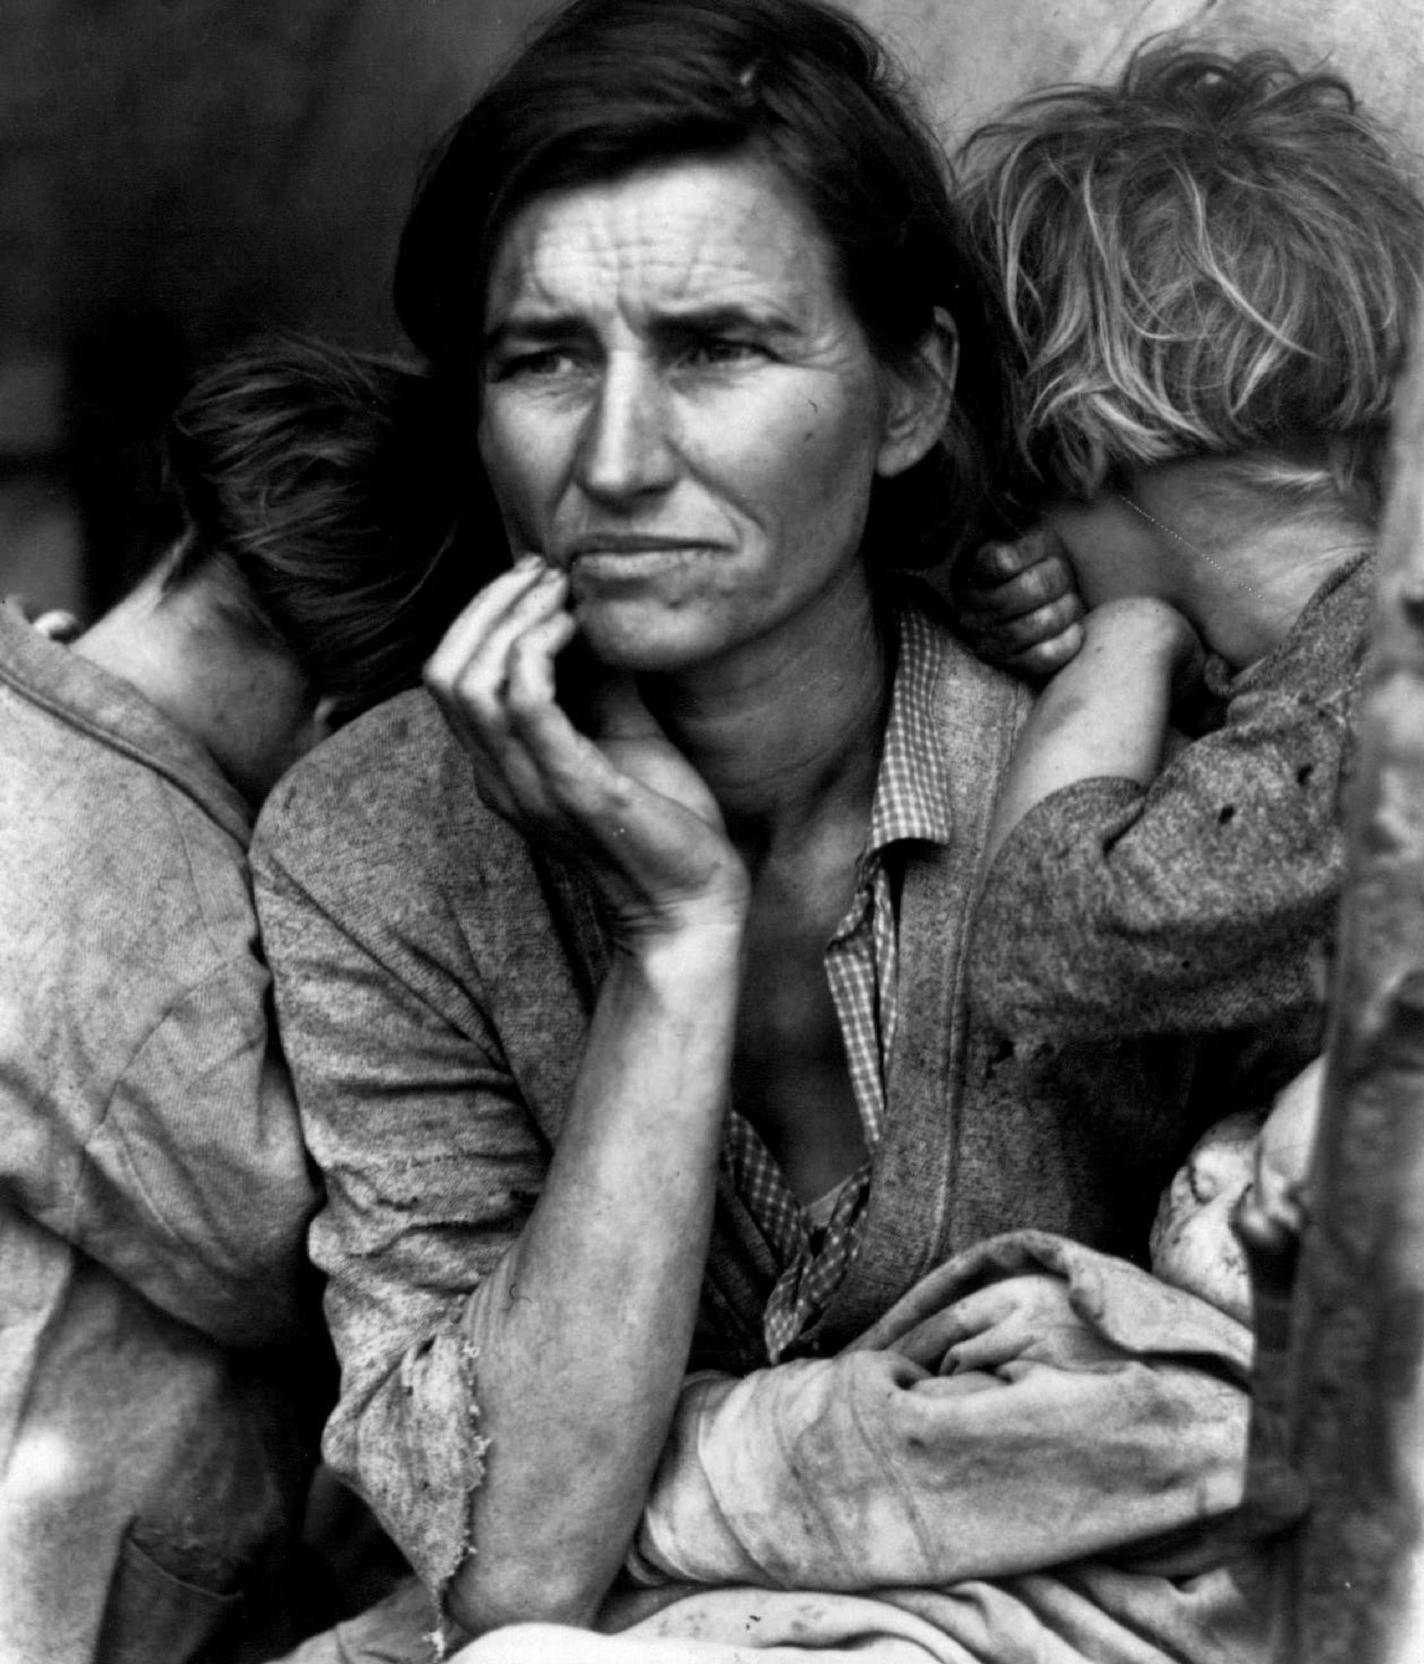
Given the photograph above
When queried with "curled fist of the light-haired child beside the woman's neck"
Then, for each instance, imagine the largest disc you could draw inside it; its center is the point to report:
(1019, 603)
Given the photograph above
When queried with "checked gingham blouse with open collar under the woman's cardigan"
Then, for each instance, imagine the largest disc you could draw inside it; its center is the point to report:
(911, 803)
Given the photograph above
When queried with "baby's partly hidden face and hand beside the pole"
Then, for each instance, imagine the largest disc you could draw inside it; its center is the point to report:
(1253, 1152)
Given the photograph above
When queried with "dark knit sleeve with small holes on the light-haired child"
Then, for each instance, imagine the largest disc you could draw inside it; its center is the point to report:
(1194, 904)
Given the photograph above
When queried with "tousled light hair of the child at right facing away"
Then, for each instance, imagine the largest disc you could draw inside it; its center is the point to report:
(1214, 255)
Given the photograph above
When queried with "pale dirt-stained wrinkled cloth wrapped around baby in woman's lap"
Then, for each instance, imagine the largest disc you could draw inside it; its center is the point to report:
(874, 1468)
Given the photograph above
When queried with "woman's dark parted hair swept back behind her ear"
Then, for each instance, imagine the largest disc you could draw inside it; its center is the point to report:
(615, 86)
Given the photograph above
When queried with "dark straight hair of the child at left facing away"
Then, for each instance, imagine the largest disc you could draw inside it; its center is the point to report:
(320, 490)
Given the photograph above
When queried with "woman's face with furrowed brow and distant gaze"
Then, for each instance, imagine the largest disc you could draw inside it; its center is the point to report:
(683, 412)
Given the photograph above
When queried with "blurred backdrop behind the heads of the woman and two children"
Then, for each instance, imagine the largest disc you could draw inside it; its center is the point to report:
(177, 176)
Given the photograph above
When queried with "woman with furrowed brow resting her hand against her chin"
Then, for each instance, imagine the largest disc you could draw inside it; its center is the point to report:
(625, 1006)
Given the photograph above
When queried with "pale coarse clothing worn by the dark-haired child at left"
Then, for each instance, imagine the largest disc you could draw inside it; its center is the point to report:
(154, 1189)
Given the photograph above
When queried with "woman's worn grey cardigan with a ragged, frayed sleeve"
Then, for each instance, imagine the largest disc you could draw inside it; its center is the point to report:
(435, 979)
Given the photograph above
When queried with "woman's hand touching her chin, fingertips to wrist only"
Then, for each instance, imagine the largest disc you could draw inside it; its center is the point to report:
(625, 805)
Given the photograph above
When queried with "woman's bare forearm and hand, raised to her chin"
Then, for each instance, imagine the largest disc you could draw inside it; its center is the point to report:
(585, 1327)
